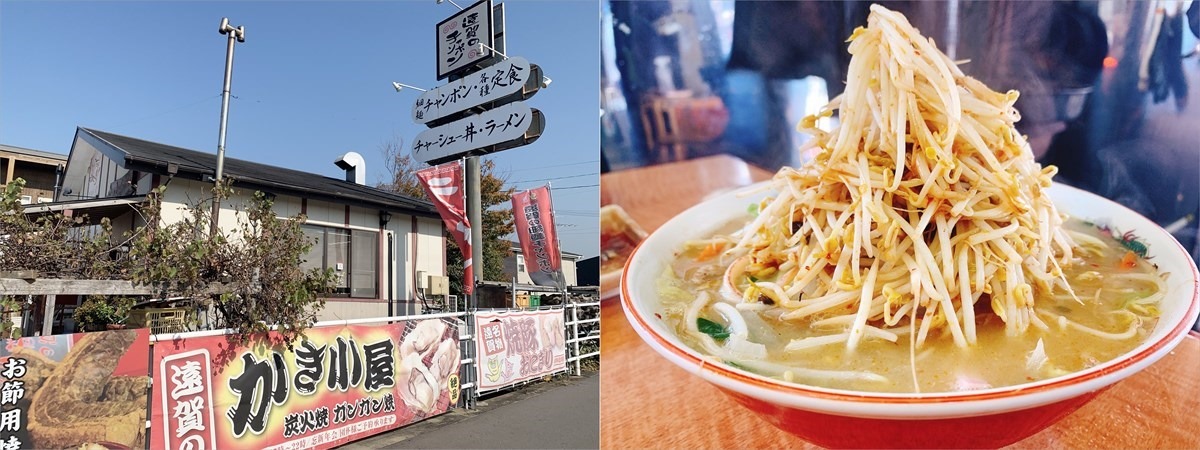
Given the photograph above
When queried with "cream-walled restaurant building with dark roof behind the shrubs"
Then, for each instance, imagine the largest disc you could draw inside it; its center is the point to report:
(377, 243)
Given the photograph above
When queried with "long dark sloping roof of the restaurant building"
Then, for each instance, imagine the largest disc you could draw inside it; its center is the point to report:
(154, 158)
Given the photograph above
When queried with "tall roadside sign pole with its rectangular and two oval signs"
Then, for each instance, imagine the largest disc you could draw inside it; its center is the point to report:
(479, 112)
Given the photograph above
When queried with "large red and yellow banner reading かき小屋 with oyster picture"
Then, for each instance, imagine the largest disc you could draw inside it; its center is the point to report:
(332, 387)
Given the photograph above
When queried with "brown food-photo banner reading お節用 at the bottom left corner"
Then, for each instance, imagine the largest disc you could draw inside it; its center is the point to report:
(75, 392)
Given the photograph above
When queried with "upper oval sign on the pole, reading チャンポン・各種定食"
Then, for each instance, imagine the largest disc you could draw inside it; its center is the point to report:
(489, 85)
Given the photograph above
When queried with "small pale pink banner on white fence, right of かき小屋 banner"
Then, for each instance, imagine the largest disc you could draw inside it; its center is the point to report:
(515, 346)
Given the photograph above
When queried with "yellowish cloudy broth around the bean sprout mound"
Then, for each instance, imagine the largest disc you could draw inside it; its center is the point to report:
(995, 361)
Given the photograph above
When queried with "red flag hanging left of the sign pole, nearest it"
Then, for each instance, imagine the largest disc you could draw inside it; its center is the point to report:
(443, 184)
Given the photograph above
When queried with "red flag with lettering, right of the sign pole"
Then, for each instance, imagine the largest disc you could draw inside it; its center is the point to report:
(539, 241)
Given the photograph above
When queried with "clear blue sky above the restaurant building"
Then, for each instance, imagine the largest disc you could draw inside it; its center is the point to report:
(311, 82)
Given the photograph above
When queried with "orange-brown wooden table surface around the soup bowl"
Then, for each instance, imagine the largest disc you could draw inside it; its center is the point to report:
(649, 403)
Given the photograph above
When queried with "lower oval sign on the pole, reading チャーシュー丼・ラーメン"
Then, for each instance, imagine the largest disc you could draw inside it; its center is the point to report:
(514, 124)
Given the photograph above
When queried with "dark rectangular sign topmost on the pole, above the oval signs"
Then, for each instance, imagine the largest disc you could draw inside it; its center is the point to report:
(459, 39)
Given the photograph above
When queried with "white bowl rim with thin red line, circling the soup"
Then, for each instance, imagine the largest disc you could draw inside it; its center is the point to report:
(1179, 309)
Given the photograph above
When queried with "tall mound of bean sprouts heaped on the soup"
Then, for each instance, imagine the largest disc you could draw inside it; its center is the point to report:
(923, 202)
